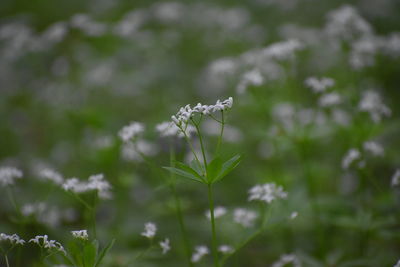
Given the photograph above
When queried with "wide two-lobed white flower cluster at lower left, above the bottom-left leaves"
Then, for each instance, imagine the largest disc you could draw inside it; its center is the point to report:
(96, 182)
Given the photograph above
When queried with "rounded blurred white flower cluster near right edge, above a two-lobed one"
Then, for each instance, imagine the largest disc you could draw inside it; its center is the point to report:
(371, 102)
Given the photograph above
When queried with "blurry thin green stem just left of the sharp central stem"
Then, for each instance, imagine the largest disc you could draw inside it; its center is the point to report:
(179, 209)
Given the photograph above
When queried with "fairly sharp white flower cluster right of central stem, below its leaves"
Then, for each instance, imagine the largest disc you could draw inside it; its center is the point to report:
(266, 192)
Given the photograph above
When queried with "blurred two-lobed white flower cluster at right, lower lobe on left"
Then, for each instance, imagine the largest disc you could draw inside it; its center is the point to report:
(355, 155)
